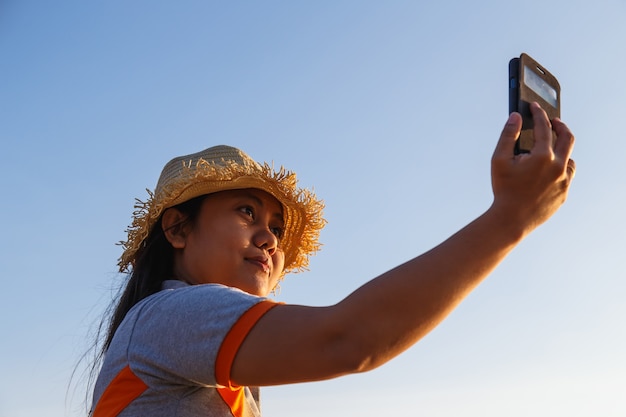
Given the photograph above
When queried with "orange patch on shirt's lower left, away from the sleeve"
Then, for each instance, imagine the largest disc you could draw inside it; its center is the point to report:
(125, 387)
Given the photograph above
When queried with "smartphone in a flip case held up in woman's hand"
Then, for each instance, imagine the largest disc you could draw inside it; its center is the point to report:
(530, 81)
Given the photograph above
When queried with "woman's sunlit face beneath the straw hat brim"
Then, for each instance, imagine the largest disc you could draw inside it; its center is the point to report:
(235, 241)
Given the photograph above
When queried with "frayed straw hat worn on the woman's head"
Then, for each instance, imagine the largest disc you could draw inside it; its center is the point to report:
(223, 168)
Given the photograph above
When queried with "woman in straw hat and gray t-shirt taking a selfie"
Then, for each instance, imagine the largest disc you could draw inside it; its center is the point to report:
(194, 334)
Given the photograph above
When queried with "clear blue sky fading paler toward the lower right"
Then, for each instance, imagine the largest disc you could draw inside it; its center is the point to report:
(390, 110)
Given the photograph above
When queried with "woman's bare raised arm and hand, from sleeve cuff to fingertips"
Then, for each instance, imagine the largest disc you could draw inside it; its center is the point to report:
(387, 315)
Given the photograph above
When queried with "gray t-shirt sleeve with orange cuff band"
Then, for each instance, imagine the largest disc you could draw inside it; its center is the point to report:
(191, 335)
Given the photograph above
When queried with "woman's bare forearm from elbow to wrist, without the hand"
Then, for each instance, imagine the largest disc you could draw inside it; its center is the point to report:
(395, 310)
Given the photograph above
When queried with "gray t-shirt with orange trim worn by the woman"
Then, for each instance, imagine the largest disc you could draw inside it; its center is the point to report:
(172, 354)
